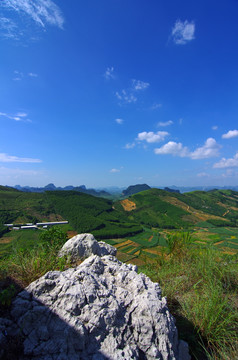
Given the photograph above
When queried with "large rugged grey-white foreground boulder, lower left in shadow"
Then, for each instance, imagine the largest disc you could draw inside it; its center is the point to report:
(101, 309)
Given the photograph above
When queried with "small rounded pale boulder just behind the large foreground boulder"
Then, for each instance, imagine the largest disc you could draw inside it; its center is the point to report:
(84, 245)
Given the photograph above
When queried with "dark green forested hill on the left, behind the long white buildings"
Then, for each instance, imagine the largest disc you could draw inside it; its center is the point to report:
(85, 213)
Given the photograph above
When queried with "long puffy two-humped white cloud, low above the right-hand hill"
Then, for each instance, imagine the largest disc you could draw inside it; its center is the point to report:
(208, 150)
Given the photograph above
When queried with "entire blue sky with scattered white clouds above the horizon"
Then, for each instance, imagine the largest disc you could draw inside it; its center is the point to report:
(118, 92)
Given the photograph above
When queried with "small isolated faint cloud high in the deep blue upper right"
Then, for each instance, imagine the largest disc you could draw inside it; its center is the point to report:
(183, 32)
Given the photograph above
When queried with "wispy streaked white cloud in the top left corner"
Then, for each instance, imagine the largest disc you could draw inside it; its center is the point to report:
(42, 12)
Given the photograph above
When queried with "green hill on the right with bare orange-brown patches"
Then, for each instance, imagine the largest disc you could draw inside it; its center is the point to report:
(159, 208)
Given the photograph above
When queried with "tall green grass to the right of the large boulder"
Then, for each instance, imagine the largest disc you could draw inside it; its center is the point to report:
(201, 288)
